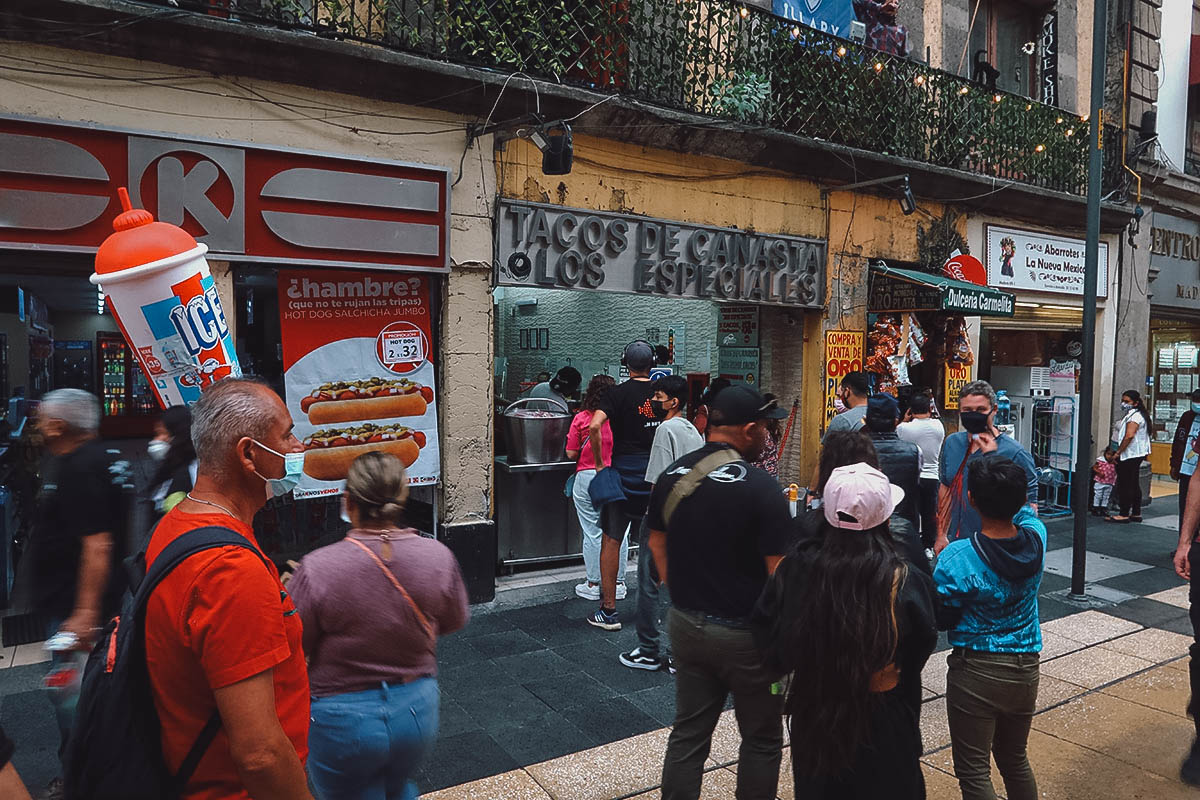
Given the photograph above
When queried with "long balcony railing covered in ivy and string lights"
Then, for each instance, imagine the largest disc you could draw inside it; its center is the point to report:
(725, 61)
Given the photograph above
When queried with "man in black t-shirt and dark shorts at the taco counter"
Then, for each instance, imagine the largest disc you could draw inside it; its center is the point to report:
(631, 414)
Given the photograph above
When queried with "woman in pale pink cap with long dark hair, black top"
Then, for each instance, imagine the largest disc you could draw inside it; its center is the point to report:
(854, 623)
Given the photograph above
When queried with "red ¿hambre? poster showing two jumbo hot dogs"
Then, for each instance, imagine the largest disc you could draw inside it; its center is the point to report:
(358, 372)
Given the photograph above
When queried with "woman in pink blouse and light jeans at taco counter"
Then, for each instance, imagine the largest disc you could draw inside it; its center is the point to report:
(585, 471)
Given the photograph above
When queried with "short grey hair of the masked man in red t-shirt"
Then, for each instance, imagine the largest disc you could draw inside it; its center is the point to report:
(229, 411)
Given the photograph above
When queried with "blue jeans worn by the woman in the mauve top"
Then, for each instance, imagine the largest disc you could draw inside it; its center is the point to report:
(368, 745)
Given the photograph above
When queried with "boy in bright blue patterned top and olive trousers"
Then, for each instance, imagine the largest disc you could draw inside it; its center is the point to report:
(988, 592)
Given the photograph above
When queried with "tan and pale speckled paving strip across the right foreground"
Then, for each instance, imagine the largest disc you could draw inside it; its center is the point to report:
(1111, 725)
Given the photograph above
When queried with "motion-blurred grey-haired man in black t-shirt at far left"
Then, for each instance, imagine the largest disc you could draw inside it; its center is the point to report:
(79, 540)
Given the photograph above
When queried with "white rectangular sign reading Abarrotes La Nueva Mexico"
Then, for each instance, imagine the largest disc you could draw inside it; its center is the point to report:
(1025, 260)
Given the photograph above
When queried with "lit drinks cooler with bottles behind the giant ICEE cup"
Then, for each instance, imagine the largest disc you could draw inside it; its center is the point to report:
(128, 402)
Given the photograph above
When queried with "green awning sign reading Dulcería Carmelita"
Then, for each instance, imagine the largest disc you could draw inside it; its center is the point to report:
(903, 291)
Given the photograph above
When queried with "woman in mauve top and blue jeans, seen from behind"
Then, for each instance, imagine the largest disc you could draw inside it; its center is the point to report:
(374, 606)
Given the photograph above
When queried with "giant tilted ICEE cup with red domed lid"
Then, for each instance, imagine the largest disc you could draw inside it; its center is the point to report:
(164, 298)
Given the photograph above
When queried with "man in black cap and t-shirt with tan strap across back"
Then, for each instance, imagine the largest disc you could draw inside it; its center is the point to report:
(716, 546)
